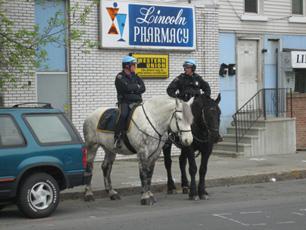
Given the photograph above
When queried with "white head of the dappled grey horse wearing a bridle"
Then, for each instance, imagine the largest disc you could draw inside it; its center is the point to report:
(181, 121)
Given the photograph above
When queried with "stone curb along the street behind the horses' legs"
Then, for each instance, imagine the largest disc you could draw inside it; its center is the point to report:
(292, 174)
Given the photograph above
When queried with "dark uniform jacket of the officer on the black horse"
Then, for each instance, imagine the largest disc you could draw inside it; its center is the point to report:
(188, 86)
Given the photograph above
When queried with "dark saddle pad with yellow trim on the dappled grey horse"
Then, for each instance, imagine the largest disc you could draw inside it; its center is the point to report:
(107, 120)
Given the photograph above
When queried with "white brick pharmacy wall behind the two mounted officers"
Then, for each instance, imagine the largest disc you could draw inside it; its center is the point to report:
(92, 76)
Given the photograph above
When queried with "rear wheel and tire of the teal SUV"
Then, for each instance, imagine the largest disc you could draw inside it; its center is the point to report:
(38, 195)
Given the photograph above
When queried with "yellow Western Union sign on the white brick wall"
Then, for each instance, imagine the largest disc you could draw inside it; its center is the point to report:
(152, 65)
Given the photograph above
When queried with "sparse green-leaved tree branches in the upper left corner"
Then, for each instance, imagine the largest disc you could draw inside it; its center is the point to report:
(22, 50)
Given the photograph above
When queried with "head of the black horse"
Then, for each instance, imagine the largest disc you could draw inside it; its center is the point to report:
(206, 114)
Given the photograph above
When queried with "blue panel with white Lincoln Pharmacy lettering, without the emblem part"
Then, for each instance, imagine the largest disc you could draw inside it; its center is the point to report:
(161, 26)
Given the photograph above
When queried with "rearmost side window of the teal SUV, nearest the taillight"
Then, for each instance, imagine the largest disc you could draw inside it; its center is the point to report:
(50, 128)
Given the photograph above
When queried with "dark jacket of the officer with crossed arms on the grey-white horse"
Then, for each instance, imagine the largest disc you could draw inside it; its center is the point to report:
(127, 88)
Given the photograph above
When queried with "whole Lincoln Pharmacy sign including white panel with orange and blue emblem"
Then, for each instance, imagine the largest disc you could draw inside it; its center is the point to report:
(141, 26)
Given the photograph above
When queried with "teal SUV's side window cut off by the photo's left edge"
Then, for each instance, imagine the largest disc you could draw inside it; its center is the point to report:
(10, 134)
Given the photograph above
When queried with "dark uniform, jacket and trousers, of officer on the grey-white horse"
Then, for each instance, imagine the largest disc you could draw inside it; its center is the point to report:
(128, 92)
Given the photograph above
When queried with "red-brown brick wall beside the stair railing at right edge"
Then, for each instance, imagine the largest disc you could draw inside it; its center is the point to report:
(299, 111)
